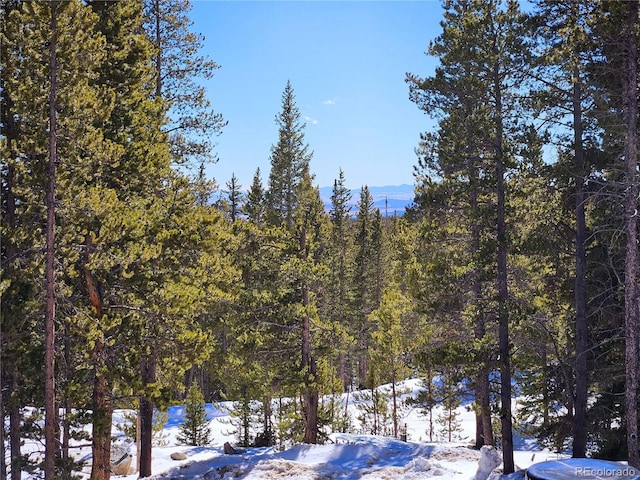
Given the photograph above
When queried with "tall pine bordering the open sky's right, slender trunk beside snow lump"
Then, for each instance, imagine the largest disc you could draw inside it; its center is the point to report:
(487, 80)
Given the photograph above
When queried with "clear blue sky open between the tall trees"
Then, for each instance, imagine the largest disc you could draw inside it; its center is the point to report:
(346, 62)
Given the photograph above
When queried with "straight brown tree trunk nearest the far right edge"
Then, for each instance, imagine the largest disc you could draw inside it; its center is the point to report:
(632, 321)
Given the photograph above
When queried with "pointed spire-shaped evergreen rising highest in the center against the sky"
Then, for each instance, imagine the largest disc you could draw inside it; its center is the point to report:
(293, 205)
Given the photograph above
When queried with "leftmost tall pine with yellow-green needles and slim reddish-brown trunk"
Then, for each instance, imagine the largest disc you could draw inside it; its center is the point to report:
(46, 87)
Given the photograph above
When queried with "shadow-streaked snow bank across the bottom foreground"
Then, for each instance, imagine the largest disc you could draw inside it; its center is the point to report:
(349, 457)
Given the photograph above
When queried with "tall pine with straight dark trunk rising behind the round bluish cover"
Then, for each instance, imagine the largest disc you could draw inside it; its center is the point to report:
(564, 32)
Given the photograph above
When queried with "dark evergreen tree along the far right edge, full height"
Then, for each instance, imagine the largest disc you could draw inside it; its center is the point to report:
(616, 32)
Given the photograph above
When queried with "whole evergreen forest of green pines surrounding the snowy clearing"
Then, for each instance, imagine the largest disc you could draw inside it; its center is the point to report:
(514, 273)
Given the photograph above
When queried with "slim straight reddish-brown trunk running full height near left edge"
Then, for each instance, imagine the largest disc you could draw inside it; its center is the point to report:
(50, 310)
